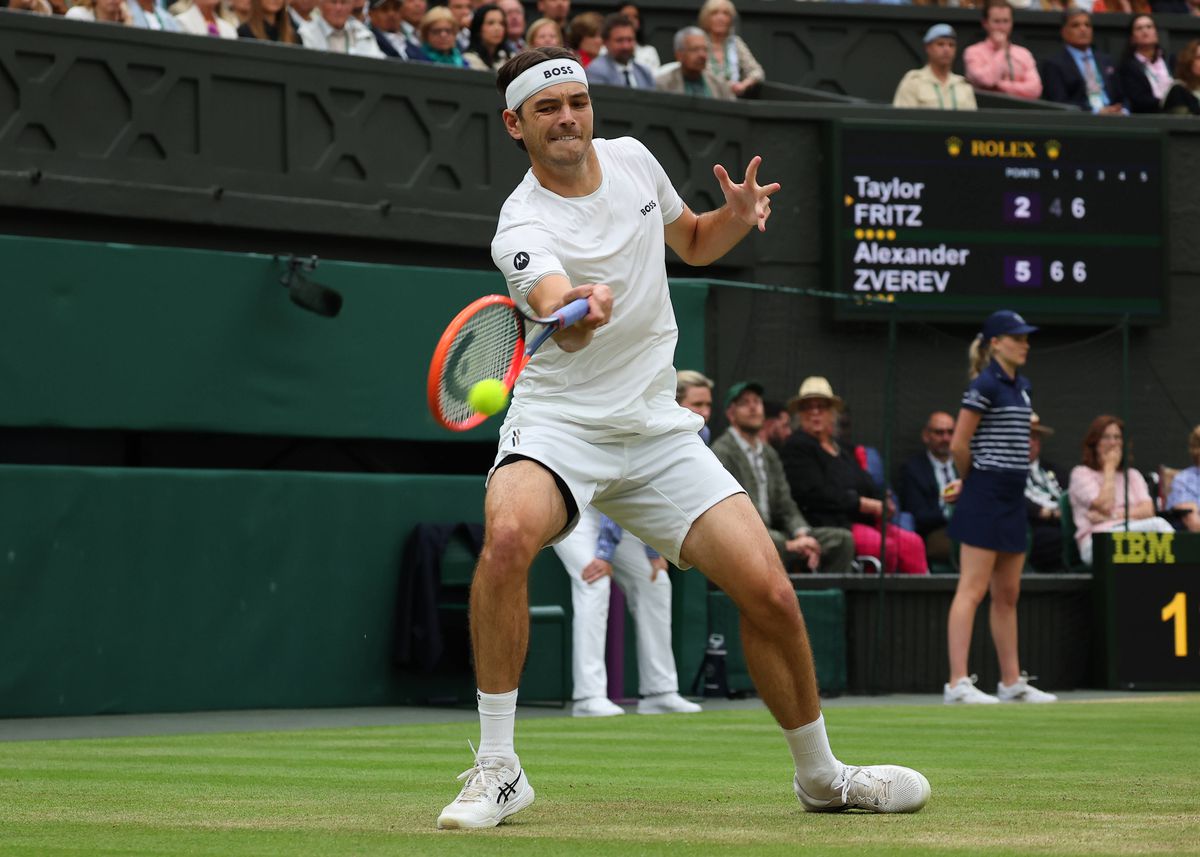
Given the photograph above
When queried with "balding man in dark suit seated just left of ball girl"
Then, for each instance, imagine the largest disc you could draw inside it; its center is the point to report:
(931, 484)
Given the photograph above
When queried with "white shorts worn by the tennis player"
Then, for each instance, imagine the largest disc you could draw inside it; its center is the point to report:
(653, 487)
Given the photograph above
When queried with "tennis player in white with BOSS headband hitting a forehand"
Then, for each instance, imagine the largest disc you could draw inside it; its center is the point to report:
(596, 422)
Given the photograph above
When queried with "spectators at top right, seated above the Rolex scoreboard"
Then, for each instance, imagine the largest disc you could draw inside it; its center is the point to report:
(1144, 80)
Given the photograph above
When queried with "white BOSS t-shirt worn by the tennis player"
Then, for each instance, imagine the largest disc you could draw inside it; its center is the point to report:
(623, 383)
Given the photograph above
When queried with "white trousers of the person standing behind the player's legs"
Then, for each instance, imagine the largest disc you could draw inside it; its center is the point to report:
(649, 603)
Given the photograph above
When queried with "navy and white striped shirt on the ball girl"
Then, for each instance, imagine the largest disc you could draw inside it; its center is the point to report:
(1001, 444)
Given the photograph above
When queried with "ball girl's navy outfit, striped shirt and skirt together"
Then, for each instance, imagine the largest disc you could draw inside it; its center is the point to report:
(991, 512)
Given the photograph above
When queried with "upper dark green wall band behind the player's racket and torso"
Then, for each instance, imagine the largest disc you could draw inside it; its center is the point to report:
(158, 339)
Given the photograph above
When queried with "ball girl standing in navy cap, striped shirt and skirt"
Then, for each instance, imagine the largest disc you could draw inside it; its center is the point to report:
(992, 451)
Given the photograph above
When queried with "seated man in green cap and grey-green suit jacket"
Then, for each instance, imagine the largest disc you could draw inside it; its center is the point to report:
(757, 466)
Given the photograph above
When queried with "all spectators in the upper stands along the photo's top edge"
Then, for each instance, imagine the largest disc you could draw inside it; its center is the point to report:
(710, 58)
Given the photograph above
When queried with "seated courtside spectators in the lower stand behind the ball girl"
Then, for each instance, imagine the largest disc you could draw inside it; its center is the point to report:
(823, 495)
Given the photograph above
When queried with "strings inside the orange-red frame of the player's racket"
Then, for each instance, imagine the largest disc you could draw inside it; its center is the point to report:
(484, 349)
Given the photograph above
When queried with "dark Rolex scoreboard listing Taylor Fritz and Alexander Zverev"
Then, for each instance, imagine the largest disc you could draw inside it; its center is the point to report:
(958, 221)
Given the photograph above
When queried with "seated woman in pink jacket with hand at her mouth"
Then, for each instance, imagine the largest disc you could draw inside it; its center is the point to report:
(1099, 489)
